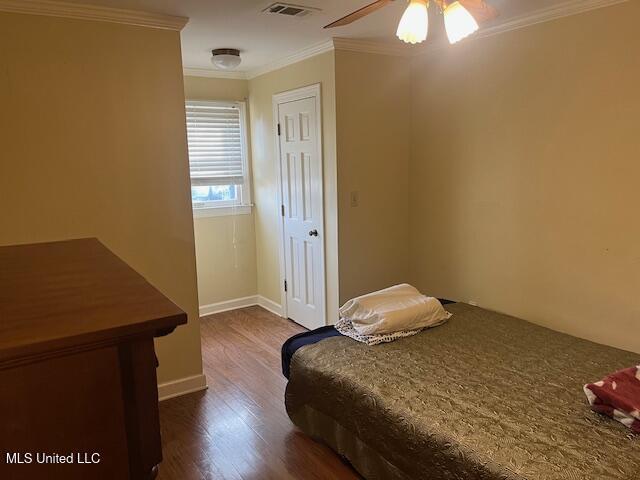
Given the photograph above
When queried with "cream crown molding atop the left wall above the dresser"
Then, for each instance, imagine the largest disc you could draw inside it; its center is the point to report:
(53, 8)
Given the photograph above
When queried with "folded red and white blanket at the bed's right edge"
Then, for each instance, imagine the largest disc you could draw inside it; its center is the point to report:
(618, 396)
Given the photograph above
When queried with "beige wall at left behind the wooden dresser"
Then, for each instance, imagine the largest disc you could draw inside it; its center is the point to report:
(93, 143)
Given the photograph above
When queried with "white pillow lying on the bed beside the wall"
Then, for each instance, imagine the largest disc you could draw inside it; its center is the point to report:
(398, 308)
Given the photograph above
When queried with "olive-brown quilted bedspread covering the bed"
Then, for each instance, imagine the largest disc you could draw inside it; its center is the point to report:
(485, 396)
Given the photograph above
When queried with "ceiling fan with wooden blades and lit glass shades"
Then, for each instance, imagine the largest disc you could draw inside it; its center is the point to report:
(461, 18)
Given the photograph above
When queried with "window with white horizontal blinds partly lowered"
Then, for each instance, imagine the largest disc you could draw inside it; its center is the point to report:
(218, 157)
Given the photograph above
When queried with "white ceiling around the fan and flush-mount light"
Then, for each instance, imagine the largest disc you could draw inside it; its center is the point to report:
(265, 38)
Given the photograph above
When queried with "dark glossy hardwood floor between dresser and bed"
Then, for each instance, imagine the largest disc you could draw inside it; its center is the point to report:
(238, 428)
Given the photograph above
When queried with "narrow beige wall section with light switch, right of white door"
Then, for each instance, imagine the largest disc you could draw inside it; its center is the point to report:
(373, 140)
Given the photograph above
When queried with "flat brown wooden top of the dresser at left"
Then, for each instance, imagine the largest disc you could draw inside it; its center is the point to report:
(63, 294)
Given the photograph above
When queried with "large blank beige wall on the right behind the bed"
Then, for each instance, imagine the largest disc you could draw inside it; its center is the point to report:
(524, 174)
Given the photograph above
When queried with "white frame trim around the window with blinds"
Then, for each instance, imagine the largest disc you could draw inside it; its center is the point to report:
(215, 208)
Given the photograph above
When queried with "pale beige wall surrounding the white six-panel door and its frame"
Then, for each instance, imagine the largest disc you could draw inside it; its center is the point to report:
(318, 69)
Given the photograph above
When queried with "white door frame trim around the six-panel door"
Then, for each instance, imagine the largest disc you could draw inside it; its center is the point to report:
(310, 91)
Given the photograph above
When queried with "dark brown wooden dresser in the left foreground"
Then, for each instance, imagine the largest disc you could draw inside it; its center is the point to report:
(78, 393)
